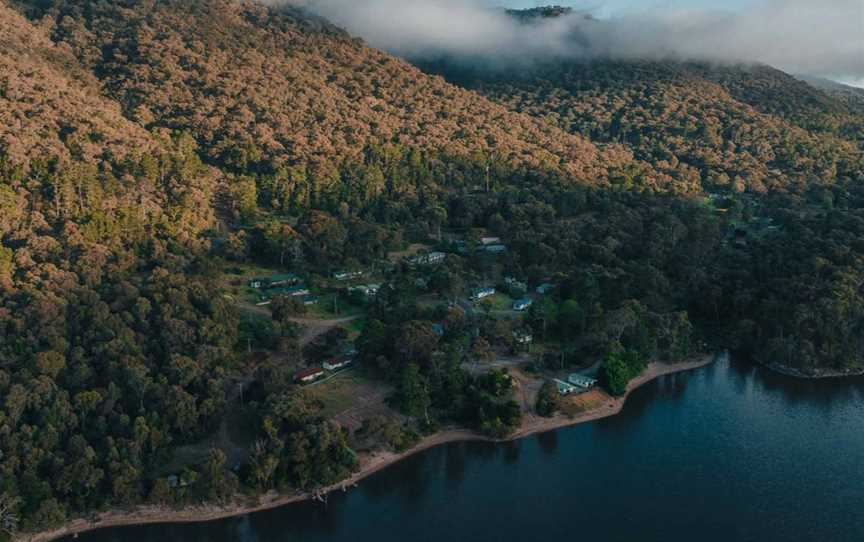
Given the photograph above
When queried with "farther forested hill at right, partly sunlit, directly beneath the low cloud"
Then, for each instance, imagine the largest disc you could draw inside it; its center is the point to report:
(738, 128)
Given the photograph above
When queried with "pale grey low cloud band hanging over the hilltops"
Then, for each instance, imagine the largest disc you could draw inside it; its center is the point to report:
(819, 37)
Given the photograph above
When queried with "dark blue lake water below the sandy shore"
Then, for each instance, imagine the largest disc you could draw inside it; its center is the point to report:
(726, 453)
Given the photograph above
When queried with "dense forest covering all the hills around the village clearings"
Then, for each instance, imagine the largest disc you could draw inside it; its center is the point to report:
(147, 146)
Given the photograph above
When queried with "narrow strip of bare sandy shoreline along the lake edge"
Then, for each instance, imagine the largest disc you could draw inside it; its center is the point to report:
(369, 465)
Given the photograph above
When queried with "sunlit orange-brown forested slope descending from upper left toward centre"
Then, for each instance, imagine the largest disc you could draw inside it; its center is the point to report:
(278, 87)
